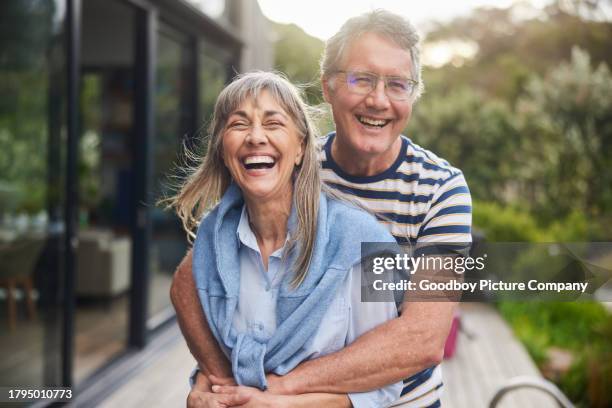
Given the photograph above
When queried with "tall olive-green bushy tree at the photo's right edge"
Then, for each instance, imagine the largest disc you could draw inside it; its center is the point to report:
(573, 106)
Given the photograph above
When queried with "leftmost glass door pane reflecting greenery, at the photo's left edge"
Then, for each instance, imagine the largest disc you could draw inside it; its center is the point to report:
(32, 190)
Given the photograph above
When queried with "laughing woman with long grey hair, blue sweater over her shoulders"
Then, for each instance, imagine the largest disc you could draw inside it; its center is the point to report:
(273, 259)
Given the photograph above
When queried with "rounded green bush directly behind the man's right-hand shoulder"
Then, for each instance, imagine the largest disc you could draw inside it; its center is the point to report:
(474, 133)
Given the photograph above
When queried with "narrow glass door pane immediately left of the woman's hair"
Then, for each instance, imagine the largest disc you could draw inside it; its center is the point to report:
(173, 122)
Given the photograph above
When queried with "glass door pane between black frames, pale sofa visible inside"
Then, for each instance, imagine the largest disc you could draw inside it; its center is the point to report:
(105, 177)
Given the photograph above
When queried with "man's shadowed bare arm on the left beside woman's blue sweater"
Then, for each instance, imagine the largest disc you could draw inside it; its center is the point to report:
(200, 340)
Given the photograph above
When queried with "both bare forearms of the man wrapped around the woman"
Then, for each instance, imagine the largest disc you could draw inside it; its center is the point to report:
(412, 342)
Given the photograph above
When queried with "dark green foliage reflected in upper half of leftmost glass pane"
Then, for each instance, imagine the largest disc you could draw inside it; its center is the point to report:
(29, 91)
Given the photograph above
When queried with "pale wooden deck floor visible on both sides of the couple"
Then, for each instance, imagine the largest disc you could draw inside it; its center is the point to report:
(487, 355)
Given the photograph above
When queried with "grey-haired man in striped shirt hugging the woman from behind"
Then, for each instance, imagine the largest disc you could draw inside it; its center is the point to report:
(371, 77)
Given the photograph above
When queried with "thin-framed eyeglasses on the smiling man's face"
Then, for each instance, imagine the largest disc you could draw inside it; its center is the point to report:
(396, 87)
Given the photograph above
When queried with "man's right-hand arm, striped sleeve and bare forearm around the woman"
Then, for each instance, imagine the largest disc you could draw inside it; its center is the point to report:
(412, 342)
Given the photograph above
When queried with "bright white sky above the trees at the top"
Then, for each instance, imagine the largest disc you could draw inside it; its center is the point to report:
(322, 18)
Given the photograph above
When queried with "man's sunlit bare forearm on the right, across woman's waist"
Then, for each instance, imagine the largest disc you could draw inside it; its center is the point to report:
(411, 343)
